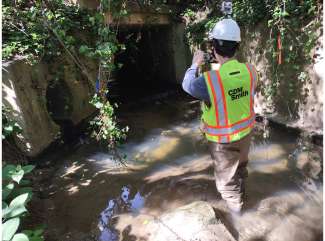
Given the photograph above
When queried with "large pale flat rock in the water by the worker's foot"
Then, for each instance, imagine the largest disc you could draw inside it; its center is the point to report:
(193, 222)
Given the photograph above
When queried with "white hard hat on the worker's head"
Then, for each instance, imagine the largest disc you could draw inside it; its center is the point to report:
(226, 29)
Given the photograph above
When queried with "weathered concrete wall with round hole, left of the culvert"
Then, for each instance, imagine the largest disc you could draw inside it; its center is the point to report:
(24, 91)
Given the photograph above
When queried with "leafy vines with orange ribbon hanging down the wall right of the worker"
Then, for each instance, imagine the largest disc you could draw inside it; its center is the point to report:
(293, 35)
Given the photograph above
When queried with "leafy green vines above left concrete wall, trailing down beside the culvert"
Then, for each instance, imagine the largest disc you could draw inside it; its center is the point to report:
(48, 30)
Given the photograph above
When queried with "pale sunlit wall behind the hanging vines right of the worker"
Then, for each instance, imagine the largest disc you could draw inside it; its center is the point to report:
(301, 108)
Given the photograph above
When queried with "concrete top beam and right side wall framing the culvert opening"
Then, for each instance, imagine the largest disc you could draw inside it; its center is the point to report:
(146, 16)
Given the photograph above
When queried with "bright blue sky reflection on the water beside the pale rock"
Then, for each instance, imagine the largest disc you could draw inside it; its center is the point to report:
(123, 203)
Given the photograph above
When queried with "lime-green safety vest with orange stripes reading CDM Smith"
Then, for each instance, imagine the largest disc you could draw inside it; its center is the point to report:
(230, 115)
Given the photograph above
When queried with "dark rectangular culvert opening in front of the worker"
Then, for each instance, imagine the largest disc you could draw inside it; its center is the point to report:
(147, 63)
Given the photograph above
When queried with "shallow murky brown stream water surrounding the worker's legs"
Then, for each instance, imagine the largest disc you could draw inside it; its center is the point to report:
(93, 198)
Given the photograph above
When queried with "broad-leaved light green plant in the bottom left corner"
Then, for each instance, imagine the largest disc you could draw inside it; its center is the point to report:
(16, 193)
